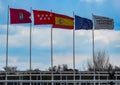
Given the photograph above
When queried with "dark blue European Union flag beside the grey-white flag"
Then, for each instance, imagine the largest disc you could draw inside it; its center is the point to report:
(83, 23)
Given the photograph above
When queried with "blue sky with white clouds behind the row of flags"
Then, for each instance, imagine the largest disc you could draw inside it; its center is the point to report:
(107, 40)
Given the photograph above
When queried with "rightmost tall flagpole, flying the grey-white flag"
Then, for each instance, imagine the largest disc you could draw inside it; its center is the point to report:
(93, 48)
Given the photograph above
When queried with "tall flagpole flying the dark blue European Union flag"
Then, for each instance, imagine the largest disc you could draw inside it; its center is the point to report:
(74, 48)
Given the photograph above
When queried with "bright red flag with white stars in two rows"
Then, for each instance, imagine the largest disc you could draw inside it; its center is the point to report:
(43, 17)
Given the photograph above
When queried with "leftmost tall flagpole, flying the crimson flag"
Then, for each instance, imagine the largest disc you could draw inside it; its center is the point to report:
(7, 42)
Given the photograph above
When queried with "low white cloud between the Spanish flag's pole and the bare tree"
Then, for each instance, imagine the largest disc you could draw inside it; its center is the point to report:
(68, 59)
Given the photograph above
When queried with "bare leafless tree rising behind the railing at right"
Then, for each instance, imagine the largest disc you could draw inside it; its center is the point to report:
(100, 61)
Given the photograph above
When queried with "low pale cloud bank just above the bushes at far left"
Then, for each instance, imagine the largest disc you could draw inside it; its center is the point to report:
(21, 65)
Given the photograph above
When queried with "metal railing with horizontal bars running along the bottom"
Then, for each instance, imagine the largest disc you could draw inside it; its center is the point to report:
(44, 78)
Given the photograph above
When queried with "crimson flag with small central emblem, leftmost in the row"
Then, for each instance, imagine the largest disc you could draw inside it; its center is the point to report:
(18, 16)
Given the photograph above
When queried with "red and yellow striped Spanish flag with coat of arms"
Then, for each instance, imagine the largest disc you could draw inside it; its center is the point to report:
(63, 21)
